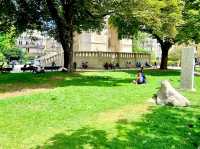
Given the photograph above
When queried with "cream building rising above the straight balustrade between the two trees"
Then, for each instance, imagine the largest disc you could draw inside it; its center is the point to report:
(106, 41)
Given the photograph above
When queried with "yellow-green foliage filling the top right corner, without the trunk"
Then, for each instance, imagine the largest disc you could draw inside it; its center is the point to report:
(177, 20)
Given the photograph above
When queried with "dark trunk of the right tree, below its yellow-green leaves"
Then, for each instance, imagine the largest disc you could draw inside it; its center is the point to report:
(164, 59)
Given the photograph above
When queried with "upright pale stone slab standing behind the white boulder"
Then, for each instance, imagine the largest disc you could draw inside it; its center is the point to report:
(187, 71)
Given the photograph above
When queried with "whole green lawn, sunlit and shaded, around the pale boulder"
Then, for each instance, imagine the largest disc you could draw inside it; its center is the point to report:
(94, 110)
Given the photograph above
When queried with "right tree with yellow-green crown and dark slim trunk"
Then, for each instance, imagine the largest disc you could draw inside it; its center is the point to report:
(159, 18)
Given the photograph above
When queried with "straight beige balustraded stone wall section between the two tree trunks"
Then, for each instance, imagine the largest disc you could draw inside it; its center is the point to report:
(98, 59)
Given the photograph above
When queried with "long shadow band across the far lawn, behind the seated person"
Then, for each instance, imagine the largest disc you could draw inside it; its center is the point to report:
(21, 81)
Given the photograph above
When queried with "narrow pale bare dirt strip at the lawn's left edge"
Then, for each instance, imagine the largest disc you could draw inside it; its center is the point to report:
(21, 92)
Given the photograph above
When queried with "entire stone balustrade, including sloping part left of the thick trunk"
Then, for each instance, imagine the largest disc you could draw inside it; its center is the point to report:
(96, 59)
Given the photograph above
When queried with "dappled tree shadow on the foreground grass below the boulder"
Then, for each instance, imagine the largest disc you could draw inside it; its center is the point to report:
(163, 128)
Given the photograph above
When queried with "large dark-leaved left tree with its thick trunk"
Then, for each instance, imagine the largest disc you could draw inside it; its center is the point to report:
(60, 18)
